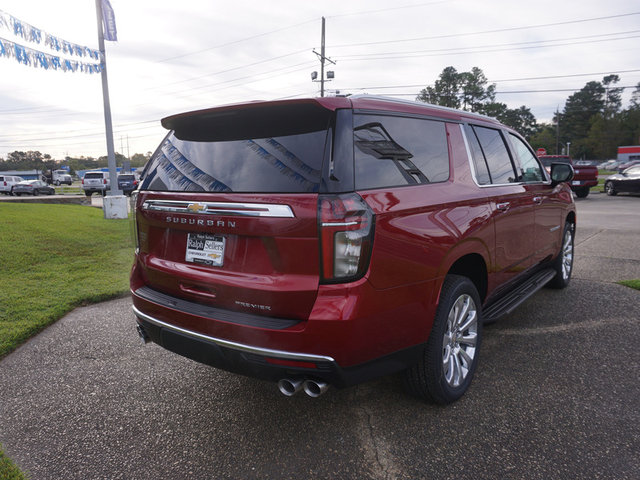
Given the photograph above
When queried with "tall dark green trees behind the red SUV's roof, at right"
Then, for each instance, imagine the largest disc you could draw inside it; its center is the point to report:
(593, 119)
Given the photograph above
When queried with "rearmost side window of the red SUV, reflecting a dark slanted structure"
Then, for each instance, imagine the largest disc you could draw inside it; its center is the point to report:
(396, 151)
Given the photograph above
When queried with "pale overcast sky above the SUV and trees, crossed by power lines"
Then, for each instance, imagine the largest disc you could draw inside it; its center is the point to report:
(174, 56)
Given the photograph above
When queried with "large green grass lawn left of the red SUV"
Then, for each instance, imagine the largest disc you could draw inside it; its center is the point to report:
(53, 259)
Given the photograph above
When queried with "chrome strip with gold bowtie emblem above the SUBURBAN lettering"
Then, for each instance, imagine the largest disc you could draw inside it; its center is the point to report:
(220, 208)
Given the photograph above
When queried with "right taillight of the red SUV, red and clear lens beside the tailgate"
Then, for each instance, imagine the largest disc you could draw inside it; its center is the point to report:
(346, 236)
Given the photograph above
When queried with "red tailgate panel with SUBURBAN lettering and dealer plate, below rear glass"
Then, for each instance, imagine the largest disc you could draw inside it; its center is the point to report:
(243, 252)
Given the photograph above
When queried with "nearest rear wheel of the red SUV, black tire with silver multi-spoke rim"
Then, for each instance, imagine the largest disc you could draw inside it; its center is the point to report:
(450, 358)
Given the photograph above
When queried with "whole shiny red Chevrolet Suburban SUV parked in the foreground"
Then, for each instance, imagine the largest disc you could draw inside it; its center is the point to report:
(329, 241)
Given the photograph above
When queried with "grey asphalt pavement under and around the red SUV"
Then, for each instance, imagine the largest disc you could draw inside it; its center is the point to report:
(556, 396)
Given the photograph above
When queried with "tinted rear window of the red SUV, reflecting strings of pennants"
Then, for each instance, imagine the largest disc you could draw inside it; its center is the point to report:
(266, 150)
